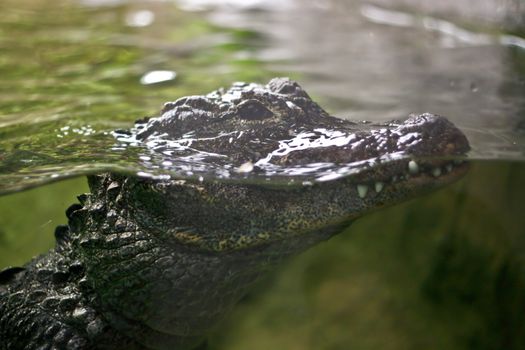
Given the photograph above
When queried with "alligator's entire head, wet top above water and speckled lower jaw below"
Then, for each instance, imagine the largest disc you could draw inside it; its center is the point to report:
(261, 132)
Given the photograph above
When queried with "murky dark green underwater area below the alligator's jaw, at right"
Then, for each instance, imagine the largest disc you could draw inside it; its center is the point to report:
(441, 272)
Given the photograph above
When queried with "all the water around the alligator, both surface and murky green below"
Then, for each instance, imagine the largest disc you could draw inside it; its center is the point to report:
(445, 271)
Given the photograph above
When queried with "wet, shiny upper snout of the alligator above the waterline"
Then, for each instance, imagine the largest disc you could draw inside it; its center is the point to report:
(420, 136)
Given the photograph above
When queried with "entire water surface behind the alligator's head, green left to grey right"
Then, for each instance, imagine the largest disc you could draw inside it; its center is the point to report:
(101, 65)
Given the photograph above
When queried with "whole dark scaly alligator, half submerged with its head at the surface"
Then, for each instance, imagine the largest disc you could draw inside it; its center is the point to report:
(154, 262)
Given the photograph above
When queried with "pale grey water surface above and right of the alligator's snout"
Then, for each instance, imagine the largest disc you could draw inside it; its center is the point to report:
(379, 71)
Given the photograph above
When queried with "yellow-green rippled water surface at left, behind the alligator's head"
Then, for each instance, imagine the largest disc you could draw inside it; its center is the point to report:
(71, 74)
